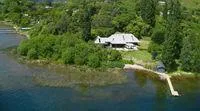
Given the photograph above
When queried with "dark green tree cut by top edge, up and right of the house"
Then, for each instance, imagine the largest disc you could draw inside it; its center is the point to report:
(147, 11)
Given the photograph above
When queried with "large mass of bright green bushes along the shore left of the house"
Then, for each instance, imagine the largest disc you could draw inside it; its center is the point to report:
(69, 49)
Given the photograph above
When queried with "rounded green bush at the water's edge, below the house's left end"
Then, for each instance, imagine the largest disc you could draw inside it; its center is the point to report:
(93, 61)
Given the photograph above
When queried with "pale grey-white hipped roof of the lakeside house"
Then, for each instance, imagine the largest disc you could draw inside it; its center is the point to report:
(118, 38)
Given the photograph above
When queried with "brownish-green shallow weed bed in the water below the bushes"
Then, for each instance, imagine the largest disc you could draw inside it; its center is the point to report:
(72, 75)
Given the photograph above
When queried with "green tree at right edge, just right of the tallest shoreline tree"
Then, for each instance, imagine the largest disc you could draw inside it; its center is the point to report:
(190, 57)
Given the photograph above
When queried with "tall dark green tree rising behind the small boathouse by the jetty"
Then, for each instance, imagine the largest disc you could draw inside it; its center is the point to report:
(172, 44)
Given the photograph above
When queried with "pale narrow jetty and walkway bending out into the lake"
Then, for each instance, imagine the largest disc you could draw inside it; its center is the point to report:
(162, 75)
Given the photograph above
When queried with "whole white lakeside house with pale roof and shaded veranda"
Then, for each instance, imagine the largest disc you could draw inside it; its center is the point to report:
(119, 40)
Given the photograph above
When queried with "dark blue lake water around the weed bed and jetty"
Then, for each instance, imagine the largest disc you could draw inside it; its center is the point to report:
(142, 93)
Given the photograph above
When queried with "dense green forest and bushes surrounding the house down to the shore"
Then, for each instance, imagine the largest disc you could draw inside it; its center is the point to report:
(64, 31)
